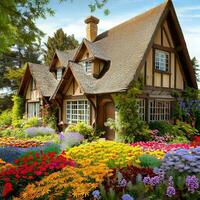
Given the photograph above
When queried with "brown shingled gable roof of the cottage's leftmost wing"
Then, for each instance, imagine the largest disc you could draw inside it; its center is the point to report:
(45, 81)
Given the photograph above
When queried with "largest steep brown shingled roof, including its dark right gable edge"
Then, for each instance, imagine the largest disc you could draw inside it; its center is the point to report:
(127, 45)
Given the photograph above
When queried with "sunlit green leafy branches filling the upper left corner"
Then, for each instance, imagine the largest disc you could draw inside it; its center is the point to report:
(17, 21)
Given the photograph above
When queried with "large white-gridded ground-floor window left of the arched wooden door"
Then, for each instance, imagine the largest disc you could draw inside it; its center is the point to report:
(78, 111)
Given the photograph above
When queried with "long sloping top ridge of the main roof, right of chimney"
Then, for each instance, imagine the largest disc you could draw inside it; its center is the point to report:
(130, 20)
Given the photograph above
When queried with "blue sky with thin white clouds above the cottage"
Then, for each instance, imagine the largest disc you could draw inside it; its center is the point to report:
(70, 16)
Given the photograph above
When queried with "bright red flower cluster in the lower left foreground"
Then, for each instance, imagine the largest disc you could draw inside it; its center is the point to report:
(31, 168)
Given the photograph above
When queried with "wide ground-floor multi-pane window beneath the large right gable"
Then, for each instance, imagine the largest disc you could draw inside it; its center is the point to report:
(159, 110)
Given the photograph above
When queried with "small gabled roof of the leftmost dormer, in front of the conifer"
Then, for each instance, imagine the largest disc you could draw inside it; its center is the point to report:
(63, 56)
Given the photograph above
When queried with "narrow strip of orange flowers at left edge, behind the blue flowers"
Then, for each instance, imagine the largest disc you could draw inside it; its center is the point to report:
(11, 141)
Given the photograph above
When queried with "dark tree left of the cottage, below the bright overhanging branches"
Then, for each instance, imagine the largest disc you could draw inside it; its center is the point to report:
(12, 69)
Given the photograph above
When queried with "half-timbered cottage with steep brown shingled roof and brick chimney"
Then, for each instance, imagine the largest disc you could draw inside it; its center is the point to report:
(81, 81)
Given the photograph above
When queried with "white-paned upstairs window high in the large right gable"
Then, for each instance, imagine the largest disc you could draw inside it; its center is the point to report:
(161, 60)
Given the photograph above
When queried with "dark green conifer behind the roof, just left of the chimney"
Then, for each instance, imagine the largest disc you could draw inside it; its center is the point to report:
(60, 41)
